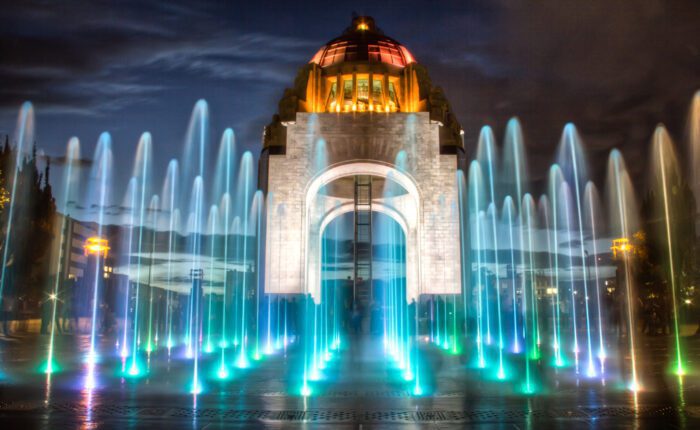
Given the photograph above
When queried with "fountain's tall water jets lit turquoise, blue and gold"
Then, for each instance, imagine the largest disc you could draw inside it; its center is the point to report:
(542, 278)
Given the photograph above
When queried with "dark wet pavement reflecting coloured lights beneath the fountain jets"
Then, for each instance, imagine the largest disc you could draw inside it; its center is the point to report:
(360, 389)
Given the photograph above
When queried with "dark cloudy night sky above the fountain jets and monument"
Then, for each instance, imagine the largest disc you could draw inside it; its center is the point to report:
(615, 68)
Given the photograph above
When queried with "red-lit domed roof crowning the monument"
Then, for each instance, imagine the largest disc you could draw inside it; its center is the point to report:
(363, 41)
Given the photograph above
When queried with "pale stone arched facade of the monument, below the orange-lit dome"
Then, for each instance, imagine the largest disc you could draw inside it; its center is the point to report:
(323, 147)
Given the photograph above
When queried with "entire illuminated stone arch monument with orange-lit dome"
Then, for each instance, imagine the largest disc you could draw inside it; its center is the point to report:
(362, 113)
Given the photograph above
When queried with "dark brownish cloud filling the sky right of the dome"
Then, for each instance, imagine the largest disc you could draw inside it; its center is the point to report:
(615, 68)
